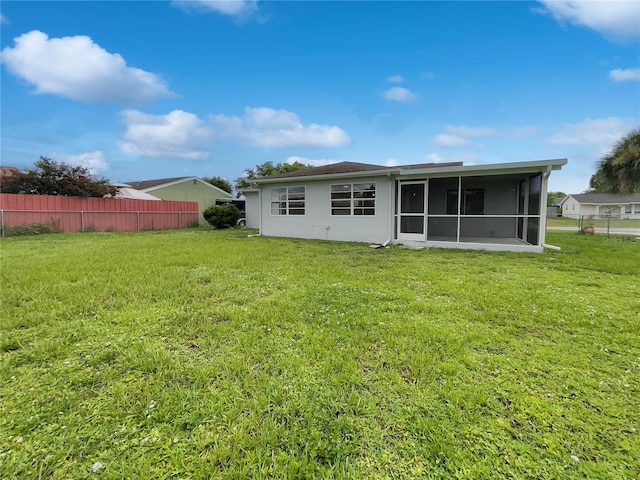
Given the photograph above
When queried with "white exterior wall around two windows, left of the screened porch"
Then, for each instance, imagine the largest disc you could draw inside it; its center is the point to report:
(318, 223)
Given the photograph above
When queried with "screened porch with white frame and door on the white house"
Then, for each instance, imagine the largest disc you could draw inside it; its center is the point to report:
(504, 209)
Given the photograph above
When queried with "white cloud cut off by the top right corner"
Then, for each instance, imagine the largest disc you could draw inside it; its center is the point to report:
(614, 19)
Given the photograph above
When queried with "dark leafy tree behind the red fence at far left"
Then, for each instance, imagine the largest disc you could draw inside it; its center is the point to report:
(52, 178)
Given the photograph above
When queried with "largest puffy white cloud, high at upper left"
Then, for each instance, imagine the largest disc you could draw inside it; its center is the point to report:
(77, 68)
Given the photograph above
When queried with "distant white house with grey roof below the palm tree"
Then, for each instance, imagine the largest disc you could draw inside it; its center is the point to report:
(601, 205)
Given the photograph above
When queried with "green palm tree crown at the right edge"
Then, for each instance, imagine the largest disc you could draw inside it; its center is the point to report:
(619, 170)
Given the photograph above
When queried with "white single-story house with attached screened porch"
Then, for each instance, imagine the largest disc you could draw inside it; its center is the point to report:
(493, 207)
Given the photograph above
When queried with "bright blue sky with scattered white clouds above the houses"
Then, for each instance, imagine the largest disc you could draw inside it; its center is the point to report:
(155, 89)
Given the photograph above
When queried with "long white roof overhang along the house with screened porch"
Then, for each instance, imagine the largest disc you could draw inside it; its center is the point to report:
(462, 170)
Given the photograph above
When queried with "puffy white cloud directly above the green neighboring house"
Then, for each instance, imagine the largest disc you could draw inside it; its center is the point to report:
(178, 134)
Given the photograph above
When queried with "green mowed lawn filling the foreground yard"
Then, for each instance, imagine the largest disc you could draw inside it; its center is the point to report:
(209, 354)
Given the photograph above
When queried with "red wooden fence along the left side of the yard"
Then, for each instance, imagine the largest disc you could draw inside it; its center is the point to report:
(75, 214)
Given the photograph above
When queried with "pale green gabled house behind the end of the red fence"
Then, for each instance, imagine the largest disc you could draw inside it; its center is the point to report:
(190, 189)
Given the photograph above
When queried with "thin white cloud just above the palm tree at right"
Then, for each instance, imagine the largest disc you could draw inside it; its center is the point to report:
(602, 132)
